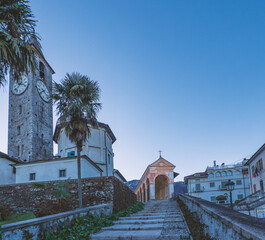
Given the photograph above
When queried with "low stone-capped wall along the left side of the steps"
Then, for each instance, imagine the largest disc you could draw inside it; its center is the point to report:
(36, 228)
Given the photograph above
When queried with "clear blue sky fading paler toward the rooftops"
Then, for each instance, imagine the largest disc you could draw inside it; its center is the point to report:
(186, 77)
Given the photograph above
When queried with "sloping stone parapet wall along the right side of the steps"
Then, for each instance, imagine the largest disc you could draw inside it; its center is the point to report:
(223, 223)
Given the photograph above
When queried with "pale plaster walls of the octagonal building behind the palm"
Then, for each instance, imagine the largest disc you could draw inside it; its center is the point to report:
(97, 147)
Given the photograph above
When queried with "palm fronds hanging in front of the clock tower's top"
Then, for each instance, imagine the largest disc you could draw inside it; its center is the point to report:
(18, 39)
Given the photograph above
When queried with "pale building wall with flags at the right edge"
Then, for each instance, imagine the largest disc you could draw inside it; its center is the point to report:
(256, 180)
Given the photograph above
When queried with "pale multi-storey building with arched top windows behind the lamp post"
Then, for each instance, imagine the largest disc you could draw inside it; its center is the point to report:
(210, 184)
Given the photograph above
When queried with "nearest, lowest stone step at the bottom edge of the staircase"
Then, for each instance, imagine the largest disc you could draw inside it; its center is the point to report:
(136, 235)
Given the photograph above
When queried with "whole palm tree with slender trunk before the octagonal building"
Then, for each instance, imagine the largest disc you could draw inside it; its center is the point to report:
(76, 99)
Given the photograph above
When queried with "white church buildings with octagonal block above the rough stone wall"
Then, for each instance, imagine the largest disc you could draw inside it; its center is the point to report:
(96, 160)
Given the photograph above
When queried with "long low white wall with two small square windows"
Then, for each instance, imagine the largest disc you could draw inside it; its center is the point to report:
(49, 171)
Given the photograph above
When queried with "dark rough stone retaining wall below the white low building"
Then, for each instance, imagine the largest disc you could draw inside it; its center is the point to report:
(97, 190)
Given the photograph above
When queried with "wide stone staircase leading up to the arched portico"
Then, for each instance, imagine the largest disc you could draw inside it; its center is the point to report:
(158, 220)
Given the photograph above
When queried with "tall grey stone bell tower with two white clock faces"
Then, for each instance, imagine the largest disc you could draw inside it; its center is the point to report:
(30, 119)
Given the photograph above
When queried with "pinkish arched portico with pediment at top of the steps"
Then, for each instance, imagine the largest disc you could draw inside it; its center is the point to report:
(157, 182)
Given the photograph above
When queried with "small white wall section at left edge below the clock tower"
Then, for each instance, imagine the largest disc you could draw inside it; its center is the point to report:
(6, 172)
